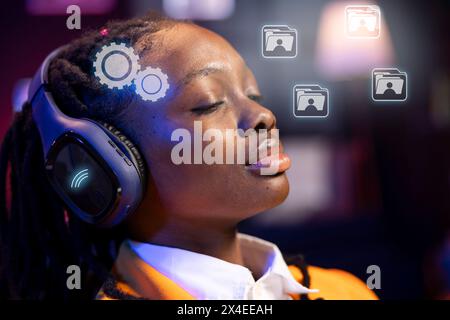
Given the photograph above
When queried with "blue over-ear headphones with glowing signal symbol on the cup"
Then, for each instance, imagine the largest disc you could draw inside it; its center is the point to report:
(96, 170)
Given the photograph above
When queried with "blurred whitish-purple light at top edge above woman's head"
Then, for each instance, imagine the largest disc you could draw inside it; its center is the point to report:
(199, 9)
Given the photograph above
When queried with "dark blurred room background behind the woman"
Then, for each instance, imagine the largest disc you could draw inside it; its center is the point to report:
(372, 181)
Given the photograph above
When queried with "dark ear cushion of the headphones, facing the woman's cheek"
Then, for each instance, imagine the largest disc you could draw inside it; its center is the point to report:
(128, 148)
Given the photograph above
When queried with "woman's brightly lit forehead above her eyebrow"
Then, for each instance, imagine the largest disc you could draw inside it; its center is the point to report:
(186, 48)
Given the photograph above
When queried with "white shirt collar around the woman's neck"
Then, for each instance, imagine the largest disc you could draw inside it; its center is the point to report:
(206, 277)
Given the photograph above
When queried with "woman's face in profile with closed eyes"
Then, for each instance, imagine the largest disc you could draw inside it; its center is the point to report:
(209, 82)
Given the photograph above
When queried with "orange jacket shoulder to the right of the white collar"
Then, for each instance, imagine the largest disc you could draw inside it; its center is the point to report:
(334, 284)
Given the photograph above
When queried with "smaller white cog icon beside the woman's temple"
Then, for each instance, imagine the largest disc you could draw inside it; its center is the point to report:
(151, 84)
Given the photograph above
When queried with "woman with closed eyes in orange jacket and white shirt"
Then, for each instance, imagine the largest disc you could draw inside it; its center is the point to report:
(181, 242)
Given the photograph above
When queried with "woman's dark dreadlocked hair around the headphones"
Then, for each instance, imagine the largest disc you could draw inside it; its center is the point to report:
(39, 238)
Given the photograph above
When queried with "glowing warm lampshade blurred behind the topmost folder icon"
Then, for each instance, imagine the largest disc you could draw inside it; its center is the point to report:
(340, 57)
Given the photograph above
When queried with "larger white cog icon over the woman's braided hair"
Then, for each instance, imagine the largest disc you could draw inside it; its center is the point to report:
(116, 65)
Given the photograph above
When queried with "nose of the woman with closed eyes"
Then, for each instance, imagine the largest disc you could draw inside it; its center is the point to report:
(255, 116)
